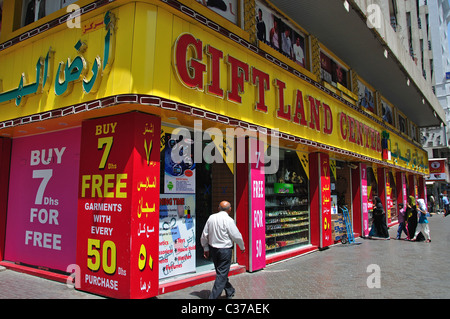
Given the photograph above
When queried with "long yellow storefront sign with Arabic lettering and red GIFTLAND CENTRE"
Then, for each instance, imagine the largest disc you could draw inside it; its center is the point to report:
(150, 50)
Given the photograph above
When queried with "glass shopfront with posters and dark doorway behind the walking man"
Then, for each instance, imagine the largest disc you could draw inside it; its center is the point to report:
(190, 193)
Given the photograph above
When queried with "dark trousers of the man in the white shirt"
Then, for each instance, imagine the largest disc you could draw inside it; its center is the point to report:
(222, 262)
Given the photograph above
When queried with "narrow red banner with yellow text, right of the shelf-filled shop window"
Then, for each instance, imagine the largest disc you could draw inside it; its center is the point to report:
(325, 183)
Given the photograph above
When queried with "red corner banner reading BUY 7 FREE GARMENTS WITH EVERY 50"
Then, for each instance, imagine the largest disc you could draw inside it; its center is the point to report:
(118, 206)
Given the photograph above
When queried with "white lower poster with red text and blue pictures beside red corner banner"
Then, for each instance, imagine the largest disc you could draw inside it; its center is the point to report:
(176, 235)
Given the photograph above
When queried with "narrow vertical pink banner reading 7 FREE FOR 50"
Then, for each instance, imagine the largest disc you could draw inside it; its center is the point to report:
(257, 205)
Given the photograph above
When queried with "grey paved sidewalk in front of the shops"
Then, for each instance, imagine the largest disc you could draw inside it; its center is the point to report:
(400, 269)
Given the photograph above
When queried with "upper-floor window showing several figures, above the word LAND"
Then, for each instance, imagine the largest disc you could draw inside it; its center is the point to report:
(272, 30)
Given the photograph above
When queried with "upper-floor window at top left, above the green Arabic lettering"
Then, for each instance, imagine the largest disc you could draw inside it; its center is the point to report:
(33, 10)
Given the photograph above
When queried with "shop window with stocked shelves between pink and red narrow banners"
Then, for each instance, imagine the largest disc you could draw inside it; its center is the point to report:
(287, 209)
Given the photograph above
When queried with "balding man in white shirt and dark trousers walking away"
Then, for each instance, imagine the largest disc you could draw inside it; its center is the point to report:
(217, 238)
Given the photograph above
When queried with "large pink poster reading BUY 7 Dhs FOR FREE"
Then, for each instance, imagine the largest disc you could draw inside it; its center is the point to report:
(42, 204)
